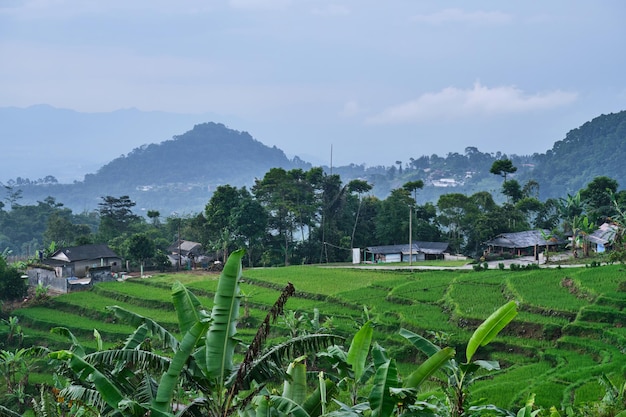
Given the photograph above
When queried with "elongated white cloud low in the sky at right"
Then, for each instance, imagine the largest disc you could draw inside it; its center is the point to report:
(454, 103)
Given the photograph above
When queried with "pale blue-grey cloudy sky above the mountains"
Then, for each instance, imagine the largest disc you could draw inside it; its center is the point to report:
(378, 81)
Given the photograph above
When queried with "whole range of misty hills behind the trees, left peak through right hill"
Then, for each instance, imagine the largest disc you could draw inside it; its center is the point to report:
(180, 174)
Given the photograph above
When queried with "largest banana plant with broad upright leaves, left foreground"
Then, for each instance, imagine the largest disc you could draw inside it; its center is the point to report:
(135, 381)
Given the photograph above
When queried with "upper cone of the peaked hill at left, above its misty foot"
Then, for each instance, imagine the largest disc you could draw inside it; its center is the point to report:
(210, 154)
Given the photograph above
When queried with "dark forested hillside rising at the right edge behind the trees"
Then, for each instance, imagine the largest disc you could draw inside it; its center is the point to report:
(597, 148)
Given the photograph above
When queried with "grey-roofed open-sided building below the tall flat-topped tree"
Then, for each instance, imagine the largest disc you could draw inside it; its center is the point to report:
(527, 243)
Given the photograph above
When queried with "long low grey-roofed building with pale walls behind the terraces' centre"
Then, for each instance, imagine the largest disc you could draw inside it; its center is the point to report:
(420, 251)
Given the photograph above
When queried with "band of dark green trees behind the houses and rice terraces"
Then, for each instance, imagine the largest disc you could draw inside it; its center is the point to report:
(302, 216)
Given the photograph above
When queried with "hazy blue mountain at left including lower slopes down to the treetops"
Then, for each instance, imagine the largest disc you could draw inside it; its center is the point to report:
(177, 175)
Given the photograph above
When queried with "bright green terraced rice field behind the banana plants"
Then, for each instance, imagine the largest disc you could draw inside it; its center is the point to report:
(569, 331)
